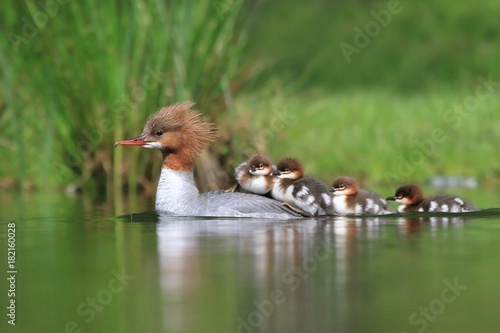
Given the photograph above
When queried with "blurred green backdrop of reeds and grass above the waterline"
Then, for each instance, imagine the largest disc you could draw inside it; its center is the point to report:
(388, 92)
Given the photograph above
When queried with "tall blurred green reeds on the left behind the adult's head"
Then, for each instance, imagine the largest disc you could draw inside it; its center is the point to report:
(78, 76)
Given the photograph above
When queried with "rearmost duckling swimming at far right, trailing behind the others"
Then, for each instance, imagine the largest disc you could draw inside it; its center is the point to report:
(412, 199)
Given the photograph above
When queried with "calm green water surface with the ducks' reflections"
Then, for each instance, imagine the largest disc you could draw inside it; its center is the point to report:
(78, 270)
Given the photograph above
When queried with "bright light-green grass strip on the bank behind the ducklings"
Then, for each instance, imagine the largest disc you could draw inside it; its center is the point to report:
(381, 137)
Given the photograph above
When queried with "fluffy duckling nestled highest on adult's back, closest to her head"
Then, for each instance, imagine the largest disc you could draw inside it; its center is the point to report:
(254, 175)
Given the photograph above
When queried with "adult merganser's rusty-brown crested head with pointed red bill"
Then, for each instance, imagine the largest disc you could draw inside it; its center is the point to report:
(178, 132)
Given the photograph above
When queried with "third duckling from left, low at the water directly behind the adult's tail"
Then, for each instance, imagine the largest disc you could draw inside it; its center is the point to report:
(348, 198)
